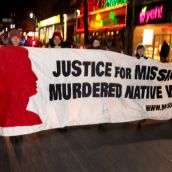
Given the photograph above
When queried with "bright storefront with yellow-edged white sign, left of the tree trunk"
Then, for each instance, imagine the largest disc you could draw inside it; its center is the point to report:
(47, 27)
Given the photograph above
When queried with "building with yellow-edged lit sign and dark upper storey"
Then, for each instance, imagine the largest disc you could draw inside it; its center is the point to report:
(55, 16)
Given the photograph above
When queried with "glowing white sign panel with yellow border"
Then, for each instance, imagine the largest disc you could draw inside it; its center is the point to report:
(50, 21)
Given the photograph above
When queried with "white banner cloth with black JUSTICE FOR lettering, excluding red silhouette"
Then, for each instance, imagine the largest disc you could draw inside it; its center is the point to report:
(80, 87)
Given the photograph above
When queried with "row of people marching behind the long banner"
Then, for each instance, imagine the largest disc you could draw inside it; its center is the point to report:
(14, 38)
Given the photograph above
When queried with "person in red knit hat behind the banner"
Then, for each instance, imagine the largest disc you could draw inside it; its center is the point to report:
(56, 41)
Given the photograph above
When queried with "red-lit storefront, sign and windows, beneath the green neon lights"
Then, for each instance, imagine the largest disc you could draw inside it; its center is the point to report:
(106, 23)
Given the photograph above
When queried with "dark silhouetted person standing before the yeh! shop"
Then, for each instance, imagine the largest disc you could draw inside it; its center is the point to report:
(164, 52)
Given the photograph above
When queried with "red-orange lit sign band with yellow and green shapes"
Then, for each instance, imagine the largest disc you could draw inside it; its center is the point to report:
(108, 18)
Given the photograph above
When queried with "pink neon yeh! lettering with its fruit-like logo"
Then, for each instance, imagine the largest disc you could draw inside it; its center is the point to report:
(151, 15)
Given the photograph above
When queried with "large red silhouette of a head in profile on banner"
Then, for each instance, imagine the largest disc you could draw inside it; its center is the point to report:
(17, 84)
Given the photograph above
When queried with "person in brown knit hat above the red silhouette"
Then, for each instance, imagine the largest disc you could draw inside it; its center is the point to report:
(14, 37)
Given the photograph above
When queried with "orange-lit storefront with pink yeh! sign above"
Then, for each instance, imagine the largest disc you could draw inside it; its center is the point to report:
(153, 26)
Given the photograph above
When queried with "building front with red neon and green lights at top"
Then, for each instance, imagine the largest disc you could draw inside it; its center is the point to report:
(106, 21)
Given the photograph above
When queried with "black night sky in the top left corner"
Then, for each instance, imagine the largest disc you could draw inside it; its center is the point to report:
(20, 7)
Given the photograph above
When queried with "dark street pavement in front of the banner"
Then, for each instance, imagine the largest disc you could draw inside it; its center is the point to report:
(117, 148)
